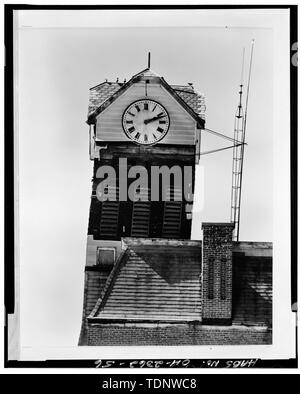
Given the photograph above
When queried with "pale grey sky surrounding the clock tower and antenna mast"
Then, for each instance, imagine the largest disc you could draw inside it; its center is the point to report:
(55, 69)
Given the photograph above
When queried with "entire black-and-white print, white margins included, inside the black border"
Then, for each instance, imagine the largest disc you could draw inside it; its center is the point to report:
(150, 210)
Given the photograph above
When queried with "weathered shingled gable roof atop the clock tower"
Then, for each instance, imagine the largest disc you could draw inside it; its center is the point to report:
(105, 91)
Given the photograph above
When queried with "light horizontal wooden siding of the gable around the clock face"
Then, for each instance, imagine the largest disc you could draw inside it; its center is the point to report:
(182, 126)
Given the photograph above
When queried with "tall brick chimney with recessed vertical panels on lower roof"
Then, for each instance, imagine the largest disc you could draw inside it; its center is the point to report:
(217, 273)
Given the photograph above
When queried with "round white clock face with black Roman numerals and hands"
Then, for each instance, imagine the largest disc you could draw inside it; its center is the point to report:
(146, 122)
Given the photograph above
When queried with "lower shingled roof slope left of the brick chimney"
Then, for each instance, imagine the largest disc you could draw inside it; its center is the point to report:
(155, 283)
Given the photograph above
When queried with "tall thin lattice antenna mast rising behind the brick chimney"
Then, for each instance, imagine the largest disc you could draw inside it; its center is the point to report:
(238, 151)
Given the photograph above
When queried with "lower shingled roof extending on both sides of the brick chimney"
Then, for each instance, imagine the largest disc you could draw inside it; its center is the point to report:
(159, 280)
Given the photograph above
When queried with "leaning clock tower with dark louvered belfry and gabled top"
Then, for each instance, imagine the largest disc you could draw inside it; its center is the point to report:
(144, 144)
